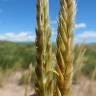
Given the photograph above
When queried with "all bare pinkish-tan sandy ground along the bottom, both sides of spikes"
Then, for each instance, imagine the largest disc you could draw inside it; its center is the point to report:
(12, 88)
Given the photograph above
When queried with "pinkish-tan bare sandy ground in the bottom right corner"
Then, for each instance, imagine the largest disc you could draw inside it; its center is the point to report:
(85, 88)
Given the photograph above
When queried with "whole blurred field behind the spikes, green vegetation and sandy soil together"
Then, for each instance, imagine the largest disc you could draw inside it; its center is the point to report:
(19, 56)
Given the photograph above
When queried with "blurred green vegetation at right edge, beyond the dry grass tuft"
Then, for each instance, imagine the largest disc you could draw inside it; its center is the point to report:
(90, 64)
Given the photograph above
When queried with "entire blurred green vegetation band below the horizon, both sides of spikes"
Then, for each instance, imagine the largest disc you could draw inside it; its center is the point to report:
(20, 55)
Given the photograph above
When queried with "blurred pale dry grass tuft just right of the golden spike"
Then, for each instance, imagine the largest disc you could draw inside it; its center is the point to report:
(79, 62)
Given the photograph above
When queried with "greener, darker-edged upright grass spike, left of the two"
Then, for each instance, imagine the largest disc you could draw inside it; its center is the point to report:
(43, 82)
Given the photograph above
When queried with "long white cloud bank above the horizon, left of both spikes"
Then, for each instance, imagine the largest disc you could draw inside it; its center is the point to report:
(18, 37)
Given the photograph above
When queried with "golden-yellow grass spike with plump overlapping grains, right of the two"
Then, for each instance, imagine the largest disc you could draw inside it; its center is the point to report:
(65, 46)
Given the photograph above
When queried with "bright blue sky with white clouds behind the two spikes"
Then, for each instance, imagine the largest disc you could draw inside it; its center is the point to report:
(18, 20)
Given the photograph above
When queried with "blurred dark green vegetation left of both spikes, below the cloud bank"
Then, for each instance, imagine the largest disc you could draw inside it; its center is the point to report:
(18, 55)
